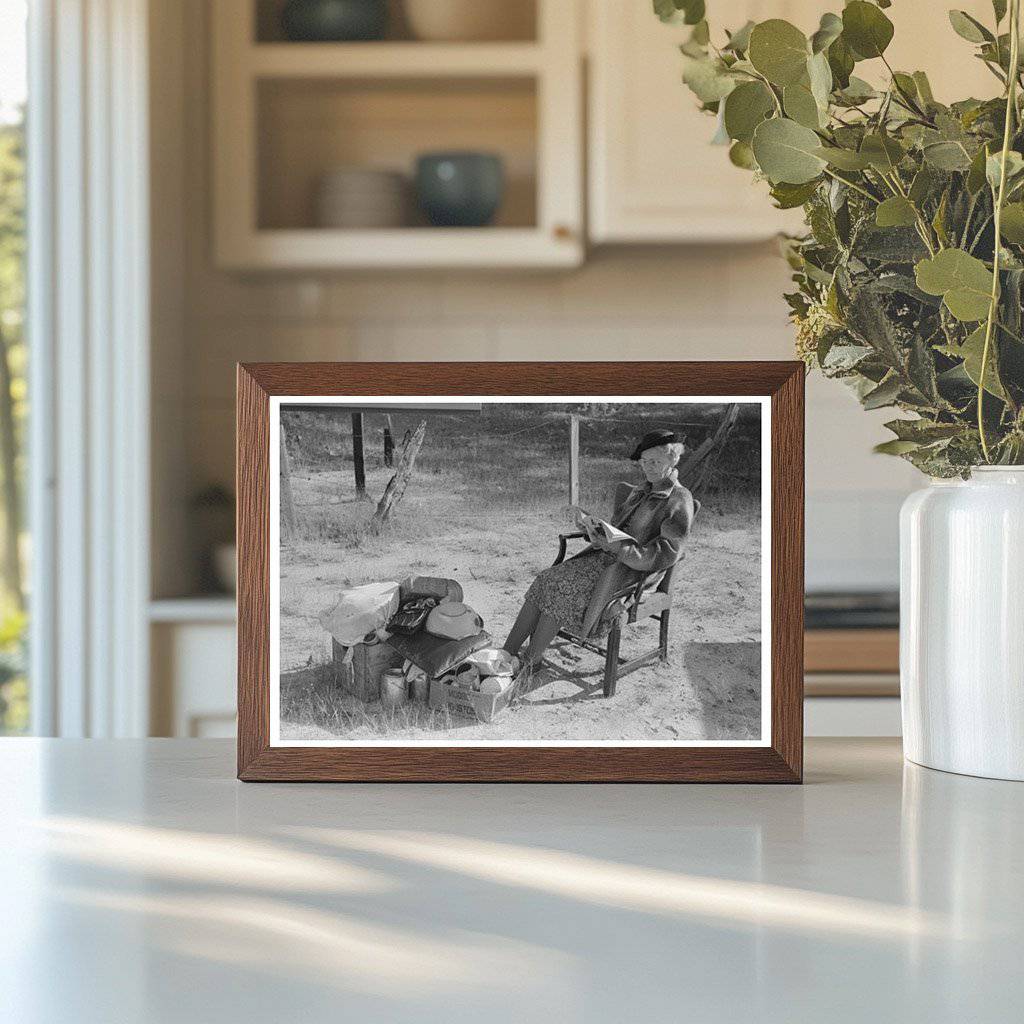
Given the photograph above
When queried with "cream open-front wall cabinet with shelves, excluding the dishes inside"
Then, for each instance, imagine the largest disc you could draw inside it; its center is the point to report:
(287, 114)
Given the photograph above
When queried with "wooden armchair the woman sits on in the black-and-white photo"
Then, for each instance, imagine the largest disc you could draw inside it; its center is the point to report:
(650, 598)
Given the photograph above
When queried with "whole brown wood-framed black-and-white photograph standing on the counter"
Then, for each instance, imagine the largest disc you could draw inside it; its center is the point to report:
(521, 572)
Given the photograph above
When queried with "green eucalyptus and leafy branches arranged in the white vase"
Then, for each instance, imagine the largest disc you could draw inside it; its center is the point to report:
(910, 280)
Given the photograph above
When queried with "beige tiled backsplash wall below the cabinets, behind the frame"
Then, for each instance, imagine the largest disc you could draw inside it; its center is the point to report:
(720, 303)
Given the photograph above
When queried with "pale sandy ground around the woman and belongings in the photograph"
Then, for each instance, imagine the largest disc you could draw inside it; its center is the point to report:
(710, 690)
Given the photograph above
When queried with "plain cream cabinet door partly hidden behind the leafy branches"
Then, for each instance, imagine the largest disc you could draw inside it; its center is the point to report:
(654, 175)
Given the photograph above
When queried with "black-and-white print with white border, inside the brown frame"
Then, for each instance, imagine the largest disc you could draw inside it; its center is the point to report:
(462, 571)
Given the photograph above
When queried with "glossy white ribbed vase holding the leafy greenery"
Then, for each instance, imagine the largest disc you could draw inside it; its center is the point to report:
(962, 624)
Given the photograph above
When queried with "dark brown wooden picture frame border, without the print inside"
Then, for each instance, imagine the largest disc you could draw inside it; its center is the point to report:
(780, 759)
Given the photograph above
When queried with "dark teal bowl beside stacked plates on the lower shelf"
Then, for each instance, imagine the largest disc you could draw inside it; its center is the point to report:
(460, 190)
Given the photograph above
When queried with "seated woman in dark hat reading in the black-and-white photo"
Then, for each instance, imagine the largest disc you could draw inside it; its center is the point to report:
(659, 515)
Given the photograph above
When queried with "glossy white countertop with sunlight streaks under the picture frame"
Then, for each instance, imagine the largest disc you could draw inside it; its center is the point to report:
(141, 882)
